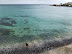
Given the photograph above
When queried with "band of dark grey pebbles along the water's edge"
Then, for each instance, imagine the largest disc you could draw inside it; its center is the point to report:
(37, 49)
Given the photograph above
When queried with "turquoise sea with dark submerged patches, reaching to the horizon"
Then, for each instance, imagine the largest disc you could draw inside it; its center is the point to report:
(26, 23)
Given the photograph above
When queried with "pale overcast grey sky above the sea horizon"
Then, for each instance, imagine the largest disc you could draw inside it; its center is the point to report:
(33, 1)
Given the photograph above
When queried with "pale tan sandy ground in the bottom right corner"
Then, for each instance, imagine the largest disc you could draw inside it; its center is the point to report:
(61, 50)
